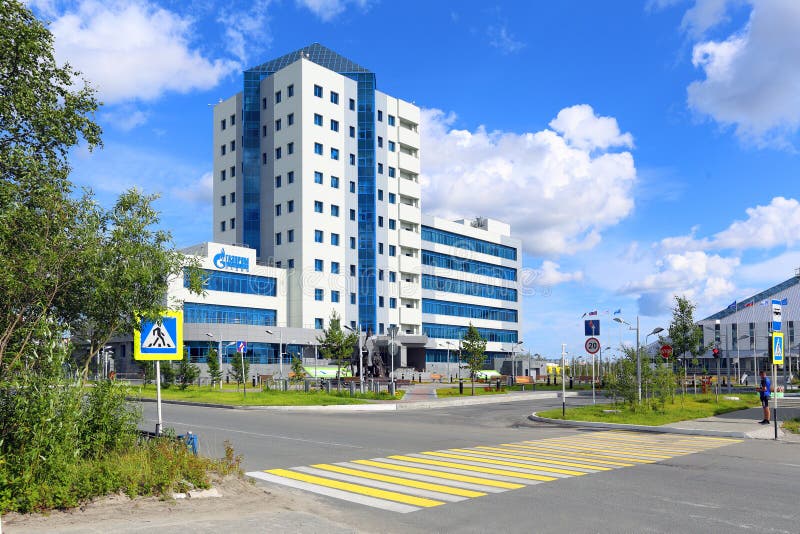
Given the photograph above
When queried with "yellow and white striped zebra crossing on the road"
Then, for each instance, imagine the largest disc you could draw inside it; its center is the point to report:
(409, 482)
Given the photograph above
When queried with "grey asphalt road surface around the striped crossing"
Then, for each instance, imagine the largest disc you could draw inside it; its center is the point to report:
(745, 486)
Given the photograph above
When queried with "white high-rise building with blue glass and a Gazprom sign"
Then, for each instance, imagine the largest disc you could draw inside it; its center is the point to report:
(316, 184)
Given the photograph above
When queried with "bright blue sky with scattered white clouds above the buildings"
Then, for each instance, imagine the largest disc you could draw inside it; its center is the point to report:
(640, 150)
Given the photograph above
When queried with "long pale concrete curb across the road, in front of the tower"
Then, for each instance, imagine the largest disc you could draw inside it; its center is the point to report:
(379, 407)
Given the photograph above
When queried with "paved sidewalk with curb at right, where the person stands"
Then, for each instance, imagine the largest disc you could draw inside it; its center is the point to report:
(739, 424)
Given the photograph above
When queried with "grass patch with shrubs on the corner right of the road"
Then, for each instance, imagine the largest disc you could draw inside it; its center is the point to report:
(691, 408)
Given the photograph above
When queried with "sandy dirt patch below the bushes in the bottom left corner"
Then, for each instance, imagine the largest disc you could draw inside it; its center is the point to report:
(243, 507)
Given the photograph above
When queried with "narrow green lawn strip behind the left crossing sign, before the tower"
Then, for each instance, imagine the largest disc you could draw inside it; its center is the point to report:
(256, 397)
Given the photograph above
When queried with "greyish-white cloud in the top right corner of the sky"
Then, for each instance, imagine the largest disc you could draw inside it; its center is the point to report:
(752, 77)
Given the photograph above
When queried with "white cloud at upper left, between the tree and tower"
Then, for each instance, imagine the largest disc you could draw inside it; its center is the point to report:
(134, 50)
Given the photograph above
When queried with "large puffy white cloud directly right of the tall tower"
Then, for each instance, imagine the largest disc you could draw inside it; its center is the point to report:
(558, 193)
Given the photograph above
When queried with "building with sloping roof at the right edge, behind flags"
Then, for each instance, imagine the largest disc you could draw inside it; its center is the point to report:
(742, 330)
